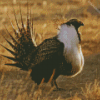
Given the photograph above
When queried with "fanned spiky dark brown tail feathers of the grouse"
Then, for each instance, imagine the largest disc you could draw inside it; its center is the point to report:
(23, 42)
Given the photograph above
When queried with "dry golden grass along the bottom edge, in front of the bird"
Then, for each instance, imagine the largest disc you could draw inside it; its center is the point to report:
(8, 92)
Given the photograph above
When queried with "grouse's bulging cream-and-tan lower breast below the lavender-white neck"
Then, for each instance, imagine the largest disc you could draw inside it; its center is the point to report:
(74, 61)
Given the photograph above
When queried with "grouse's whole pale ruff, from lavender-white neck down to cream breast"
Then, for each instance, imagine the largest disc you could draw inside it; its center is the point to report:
(72, 48)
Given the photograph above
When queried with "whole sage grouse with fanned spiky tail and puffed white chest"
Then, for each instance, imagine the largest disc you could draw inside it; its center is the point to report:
(58, 55)
